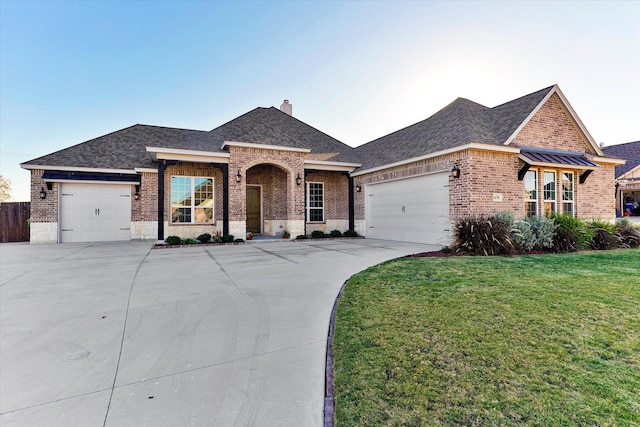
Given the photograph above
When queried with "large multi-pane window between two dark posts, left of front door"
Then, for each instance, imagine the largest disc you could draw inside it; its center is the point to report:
(191, 200)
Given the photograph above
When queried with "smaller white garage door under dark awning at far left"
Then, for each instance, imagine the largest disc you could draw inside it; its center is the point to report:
(95, 212)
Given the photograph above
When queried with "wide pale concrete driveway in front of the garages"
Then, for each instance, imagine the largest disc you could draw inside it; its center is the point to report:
(118, 334)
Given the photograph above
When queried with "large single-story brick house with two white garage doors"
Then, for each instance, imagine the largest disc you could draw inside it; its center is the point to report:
(265, 172)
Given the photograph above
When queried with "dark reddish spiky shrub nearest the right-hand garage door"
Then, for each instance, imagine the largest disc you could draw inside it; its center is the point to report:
(481, 235)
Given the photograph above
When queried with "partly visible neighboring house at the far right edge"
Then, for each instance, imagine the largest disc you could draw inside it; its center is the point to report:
(627, 177)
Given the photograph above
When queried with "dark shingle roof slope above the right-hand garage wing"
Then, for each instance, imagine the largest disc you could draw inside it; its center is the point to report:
(459, 123)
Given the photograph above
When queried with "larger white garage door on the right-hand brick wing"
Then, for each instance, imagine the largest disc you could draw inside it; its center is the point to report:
(410, 210)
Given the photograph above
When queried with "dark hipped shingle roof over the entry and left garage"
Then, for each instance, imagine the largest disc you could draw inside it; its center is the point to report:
(126, 148)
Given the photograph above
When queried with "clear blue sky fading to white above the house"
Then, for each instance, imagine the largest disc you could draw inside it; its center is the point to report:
(71, 71)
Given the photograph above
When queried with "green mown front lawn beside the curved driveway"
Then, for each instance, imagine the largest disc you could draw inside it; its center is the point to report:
(541, 340)
